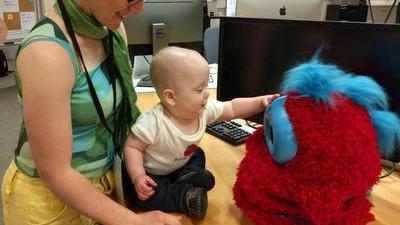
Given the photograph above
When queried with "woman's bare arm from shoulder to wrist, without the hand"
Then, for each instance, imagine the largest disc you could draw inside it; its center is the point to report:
(47, 79)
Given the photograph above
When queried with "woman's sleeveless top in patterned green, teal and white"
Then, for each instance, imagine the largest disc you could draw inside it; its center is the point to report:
(93, 149)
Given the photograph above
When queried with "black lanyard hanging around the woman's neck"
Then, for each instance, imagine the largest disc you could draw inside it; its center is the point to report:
(110, 67)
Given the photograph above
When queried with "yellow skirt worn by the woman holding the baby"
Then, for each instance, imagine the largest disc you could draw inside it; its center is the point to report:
(27, 201)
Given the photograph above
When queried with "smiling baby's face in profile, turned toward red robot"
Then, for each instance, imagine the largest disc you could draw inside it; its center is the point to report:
(191, 91)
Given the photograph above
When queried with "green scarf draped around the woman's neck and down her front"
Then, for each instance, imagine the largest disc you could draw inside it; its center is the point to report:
(83, 24)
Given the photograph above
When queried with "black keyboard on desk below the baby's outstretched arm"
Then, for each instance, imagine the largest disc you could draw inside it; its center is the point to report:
(229, 131)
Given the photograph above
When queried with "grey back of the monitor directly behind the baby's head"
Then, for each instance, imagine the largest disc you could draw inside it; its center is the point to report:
(183, 21)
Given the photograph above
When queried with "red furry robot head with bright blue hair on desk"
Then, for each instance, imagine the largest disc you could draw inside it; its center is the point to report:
(319, 151)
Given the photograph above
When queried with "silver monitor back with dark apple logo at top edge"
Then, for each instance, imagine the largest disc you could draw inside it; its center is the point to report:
(282, 9)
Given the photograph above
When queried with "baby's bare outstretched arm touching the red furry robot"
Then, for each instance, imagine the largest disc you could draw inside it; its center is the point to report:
(245, 107)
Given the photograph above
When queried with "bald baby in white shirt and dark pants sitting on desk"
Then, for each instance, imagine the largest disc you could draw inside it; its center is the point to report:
(165, 165)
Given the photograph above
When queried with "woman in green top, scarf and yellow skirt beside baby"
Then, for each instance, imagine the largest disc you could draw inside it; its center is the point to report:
(74, 83)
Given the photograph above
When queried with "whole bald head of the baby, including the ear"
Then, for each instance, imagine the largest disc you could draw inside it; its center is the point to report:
(180, 75)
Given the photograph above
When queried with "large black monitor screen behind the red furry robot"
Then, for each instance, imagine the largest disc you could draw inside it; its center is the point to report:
(254, 54)
